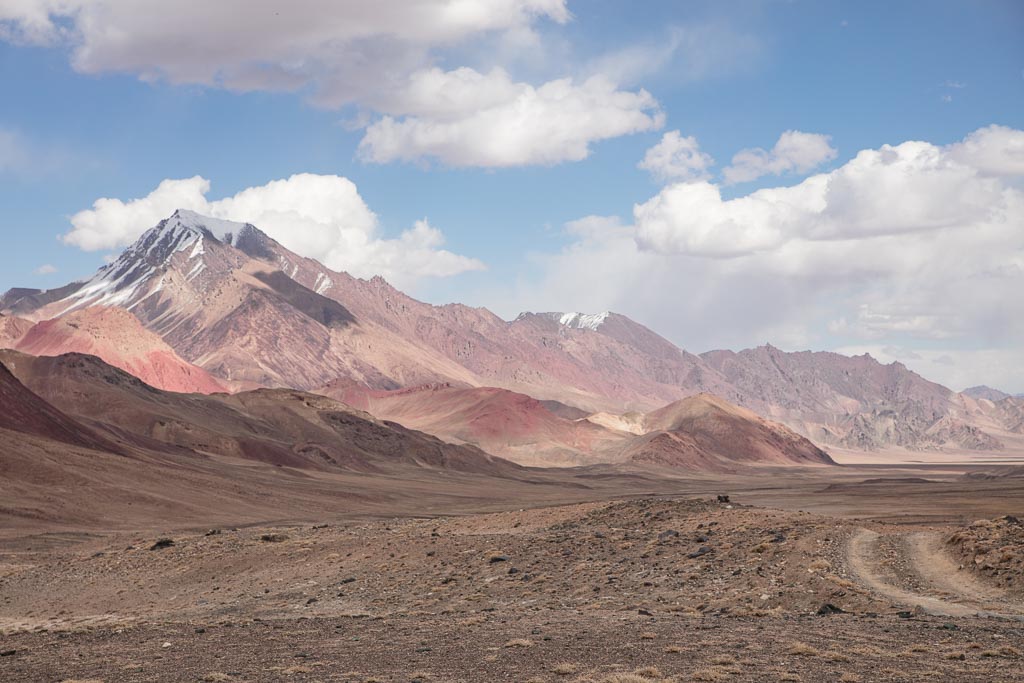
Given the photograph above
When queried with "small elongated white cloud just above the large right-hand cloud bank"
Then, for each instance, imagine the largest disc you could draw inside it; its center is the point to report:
(795, 152)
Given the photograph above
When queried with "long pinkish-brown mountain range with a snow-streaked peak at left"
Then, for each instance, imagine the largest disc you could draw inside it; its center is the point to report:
(221, 306)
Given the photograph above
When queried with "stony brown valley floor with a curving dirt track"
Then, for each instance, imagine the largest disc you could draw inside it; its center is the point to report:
(860, 573)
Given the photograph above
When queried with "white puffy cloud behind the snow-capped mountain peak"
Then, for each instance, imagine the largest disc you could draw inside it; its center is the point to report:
(319, 217)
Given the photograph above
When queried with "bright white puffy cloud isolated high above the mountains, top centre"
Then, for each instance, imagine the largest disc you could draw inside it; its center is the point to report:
(464, 118)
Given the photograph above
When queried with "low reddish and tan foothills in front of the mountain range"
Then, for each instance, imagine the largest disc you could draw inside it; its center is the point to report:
(700, 434)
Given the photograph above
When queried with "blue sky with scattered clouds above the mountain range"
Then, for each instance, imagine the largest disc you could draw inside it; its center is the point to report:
(82, 120)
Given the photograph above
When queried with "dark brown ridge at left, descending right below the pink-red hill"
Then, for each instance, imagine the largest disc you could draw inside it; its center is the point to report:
(275, 426)
